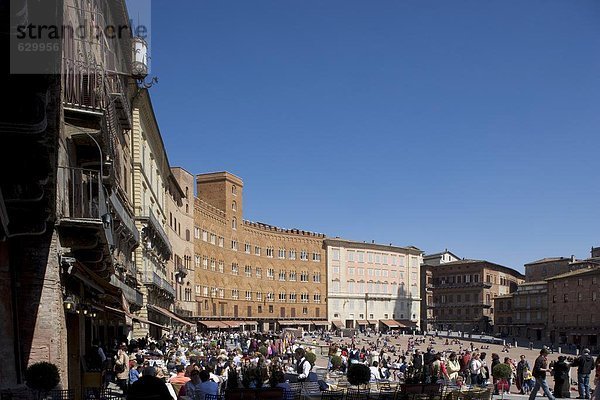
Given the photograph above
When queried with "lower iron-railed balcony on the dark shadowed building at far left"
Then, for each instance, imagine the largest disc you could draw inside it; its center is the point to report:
(84, 224)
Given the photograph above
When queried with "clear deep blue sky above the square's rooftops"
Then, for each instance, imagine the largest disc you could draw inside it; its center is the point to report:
(467, 125)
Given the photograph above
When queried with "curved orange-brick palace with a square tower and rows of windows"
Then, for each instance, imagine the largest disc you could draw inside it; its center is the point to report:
(250, 273)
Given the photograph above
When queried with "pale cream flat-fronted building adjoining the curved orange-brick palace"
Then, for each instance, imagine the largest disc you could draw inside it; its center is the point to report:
(372, 285)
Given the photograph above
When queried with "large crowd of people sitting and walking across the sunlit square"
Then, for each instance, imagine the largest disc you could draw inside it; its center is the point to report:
(198, 364)
